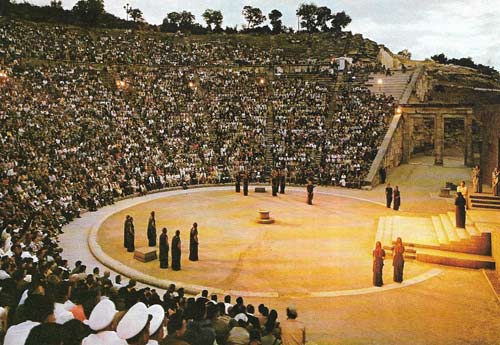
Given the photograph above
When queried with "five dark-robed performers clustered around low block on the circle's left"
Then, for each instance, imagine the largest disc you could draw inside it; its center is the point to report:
(163, 245)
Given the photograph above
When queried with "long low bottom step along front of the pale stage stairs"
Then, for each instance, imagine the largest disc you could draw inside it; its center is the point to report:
(455, 259)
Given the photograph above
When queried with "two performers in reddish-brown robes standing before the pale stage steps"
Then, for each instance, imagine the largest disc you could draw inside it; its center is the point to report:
(397, 262)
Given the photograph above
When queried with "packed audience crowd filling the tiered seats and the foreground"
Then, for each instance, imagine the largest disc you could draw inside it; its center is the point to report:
(72, 140)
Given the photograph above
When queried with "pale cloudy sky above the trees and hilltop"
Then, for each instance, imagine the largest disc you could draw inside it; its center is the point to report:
(457, 28)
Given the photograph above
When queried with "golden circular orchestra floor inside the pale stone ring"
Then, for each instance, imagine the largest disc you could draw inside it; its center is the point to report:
(324, 247)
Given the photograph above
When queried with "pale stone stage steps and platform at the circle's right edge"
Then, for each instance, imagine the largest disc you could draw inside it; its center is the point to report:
(436, 240)
